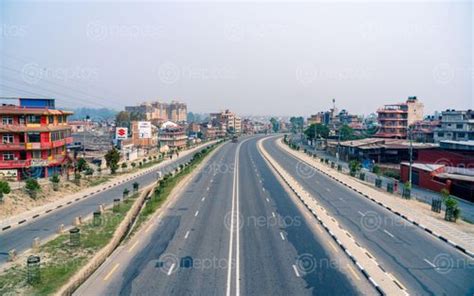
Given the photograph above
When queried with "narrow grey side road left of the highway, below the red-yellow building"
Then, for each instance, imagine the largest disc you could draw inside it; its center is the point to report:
(21, 238)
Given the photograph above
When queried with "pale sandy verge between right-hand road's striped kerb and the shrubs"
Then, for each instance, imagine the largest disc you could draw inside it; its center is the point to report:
(460, 235)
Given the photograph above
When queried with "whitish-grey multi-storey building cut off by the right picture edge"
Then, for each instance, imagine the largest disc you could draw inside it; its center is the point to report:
(456, 125)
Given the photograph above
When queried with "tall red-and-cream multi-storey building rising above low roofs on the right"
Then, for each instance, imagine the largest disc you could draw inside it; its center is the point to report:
(394, 119)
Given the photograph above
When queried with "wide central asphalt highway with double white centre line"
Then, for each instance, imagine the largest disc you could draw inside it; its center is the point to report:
(229, 234)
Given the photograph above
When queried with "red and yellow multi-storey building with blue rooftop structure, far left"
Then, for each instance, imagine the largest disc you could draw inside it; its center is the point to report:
(34, 137)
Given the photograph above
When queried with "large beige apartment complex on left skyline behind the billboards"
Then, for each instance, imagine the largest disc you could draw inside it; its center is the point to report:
(158, 111)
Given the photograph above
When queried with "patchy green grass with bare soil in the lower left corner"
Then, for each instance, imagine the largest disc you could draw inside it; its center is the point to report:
(59, 260)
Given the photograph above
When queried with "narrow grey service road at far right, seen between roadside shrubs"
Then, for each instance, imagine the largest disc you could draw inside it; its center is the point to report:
(417, 193)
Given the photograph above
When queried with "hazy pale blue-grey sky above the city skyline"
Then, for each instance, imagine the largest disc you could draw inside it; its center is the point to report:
(255, 58)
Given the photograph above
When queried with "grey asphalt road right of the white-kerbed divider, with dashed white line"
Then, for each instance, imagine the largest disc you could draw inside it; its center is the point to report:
(425, 265)
